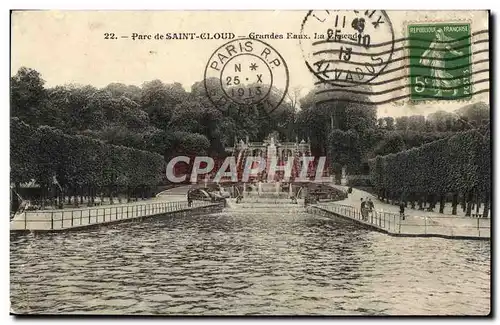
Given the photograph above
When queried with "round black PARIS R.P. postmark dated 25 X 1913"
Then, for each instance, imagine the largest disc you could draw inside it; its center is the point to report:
(246, 72)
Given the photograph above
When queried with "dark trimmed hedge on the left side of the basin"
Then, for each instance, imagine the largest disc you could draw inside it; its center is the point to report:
(78, 161)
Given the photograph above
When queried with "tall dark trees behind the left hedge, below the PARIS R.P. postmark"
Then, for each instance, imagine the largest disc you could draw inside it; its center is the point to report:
(145, 118)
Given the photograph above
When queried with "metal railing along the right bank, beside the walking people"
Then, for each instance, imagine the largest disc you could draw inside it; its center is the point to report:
(425, 225)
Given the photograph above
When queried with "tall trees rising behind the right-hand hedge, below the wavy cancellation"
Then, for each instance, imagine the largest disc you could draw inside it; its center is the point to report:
(351, 133)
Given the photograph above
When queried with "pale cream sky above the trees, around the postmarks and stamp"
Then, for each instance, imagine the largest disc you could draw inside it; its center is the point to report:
(70, 47)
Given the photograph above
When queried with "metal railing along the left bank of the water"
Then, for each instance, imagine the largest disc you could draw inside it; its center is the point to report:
(62, 219)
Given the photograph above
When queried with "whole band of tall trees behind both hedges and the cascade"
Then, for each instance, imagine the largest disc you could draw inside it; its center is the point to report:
(149, 117)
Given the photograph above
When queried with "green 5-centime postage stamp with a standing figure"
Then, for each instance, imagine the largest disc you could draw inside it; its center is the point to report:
(440, 61)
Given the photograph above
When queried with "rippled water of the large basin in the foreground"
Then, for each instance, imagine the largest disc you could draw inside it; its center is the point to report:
(262, 263)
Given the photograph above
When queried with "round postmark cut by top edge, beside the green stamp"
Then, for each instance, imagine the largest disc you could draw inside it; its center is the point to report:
(347, 48)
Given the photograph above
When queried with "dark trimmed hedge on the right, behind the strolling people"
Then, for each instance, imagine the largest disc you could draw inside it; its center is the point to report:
(458, 164)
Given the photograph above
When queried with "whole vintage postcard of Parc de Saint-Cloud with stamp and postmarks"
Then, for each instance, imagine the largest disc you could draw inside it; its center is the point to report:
(324, 162)
